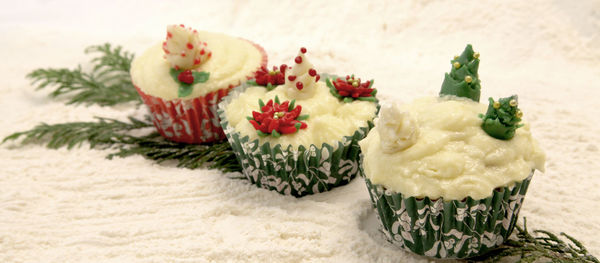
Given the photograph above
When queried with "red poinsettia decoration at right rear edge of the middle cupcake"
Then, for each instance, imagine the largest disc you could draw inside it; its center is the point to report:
(352, 88)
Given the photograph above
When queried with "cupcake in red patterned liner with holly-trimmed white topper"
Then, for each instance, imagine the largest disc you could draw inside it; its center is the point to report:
(183, 79)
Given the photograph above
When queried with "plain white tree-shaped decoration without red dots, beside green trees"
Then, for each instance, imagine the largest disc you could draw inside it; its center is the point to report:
(397, 129)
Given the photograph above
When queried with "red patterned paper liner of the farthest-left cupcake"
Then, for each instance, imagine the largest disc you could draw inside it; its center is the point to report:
(190, 120)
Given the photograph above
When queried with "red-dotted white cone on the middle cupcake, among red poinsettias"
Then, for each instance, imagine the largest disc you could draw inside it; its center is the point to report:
(302, 79)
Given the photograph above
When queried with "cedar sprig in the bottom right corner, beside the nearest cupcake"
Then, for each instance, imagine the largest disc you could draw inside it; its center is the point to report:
(541, 246)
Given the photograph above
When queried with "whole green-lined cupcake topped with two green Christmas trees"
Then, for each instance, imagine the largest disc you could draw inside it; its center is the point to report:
(448, 175)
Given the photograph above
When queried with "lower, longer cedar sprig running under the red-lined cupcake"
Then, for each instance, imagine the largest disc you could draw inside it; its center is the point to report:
(107, 133)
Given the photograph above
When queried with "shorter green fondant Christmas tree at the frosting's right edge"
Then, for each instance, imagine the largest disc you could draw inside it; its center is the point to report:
(502, 118)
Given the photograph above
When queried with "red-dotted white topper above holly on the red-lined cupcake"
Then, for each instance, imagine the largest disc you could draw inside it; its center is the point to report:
(183, 48)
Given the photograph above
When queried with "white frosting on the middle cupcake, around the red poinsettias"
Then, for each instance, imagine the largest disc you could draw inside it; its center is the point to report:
(330, 119)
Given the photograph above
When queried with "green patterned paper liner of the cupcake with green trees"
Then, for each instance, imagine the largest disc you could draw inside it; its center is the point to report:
(453, 229)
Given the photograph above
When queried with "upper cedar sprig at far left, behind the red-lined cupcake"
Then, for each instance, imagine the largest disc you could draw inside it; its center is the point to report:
(107, 84)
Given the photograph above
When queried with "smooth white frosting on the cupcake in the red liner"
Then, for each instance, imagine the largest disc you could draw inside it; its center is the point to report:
(233, 60)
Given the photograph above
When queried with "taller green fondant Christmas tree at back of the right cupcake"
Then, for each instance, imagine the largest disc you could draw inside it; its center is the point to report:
(463, 79)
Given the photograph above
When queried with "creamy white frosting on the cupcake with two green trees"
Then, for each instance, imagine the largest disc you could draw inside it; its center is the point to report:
(452, 157)
